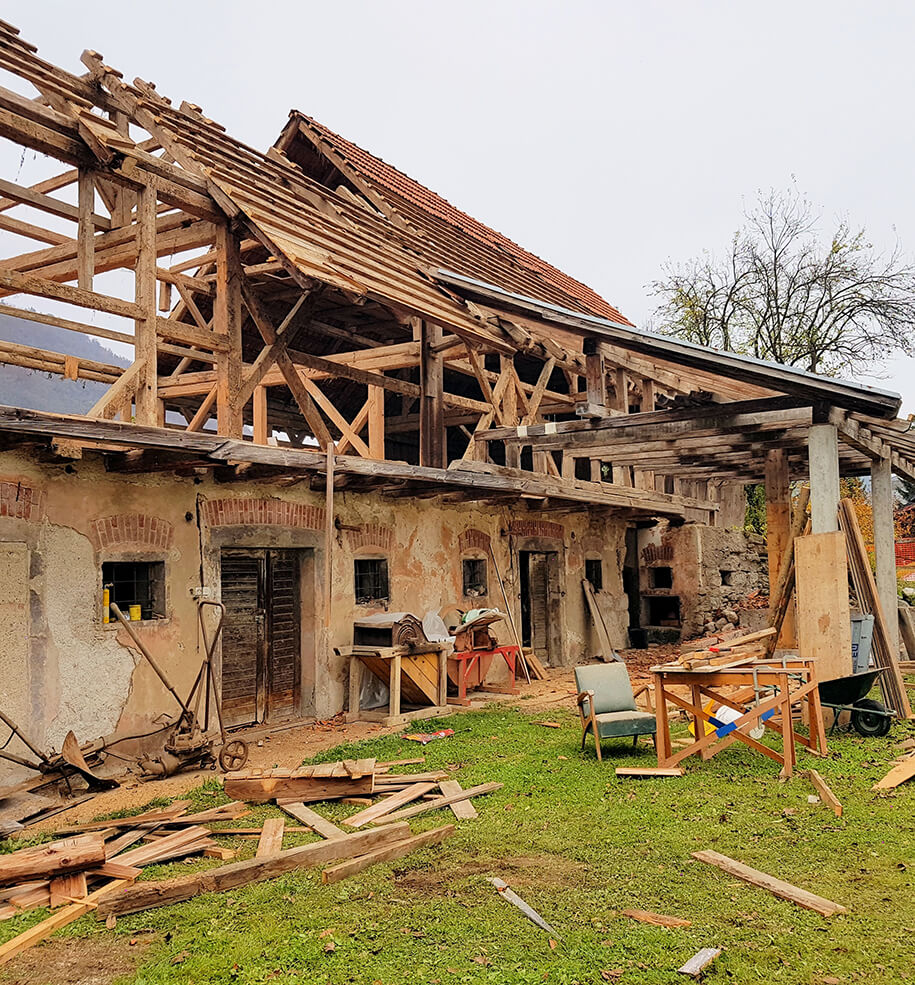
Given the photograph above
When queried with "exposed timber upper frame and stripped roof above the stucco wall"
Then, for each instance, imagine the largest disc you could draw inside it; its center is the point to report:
(323, 324)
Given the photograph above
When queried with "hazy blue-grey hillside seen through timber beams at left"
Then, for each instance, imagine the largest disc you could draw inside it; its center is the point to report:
(40, 391)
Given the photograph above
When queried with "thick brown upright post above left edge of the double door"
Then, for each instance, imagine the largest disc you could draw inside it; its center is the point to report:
(227, 322)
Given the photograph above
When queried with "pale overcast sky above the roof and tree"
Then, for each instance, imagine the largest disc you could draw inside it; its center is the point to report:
(608, 137)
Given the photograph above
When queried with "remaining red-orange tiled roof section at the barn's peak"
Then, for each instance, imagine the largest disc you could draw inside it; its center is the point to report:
(460, 242)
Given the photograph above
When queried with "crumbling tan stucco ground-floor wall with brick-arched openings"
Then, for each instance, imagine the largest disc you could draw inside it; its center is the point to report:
(59, 523)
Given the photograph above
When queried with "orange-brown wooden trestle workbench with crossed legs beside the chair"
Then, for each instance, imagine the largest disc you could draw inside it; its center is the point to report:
(781, 684)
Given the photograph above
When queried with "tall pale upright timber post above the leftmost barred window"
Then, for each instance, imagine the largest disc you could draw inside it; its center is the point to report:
(145, 350)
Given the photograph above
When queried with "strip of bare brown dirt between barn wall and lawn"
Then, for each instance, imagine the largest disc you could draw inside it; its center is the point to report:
(288, 746)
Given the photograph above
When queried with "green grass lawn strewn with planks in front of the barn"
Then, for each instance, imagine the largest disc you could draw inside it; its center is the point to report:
(579, 845)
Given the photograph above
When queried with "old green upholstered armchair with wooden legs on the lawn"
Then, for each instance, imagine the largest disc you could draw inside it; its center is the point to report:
(606, 705)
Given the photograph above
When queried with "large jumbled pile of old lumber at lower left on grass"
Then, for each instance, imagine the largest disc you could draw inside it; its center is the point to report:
(94, 867)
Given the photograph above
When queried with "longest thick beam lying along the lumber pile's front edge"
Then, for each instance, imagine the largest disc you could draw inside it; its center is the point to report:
(147, 895)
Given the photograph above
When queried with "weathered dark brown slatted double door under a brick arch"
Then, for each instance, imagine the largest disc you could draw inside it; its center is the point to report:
(261, 639)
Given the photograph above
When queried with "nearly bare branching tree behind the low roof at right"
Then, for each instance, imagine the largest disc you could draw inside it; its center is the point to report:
(782, 293)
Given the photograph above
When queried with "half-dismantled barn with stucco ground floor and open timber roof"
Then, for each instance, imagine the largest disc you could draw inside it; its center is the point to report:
(354, 422)
